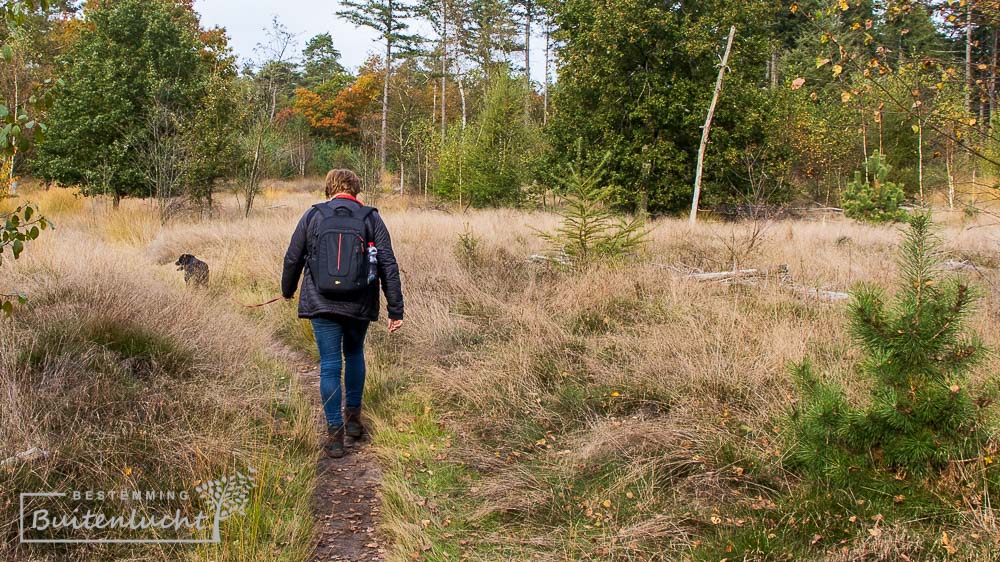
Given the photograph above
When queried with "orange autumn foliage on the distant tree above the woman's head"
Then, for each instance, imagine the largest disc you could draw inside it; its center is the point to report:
(338, 114)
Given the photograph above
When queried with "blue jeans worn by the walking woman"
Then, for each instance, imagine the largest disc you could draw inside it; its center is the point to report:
(335, 338)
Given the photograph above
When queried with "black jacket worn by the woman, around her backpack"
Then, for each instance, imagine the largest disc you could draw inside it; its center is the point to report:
(362, 307)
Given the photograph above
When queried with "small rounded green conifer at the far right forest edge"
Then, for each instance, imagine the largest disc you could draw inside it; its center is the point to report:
(870, 197)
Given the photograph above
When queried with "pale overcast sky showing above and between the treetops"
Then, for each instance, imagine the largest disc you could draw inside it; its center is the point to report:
(245, 21)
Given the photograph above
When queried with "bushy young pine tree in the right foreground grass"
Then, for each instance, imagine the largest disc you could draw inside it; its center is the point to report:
(917, 355)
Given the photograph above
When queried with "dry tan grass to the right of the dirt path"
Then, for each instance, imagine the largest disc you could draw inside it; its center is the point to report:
(647, 389)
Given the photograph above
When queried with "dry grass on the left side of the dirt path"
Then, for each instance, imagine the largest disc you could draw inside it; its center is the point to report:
(132, 382)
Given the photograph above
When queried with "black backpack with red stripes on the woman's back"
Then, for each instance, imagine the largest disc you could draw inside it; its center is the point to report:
(338, 260)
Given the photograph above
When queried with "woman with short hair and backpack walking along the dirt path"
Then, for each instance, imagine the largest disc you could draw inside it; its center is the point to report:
(346, 251)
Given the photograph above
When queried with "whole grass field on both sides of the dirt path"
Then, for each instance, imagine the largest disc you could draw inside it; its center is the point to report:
(527, 412)
